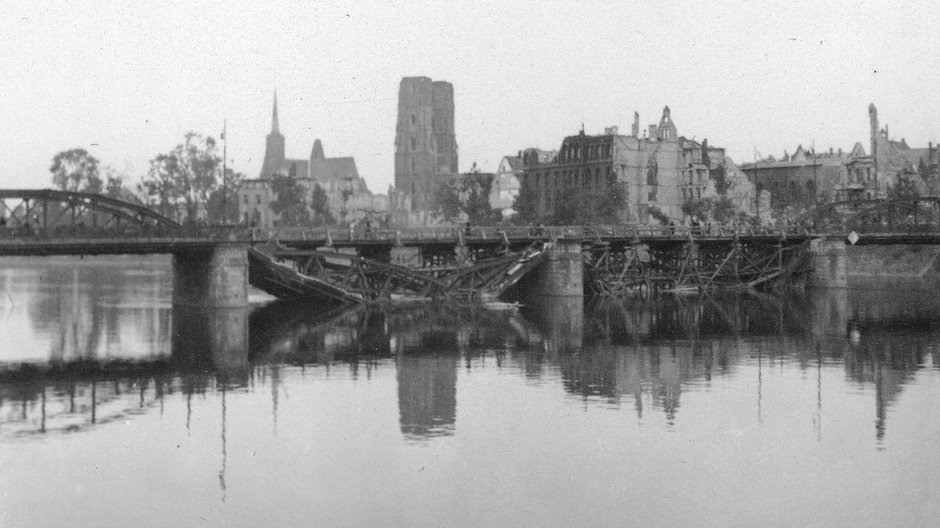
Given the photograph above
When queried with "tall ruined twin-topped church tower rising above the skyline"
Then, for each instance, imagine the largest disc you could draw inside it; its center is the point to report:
(425, 142)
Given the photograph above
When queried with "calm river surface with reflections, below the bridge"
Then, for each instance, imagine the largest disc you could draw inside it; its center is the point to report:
(744, 410)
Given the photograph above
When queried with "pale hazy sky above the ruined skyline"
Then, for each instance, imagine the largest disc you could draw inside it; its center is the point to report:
(126, 80)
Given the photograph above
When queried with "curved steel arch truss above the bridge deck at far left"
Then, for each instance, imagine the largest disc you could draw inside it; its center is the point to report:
(67, 212)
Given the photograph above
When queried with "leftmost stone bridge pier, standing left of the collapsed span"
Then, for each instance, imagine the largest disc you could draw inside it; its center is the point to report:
(211, 277)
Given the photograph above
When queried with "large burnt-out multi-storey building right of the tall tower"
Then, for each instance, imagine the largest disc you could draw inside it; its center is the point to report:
(661, 170)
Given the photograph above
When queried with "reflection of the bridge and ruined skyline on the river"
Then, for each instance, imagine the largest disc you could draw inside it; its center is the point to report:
(117, 349)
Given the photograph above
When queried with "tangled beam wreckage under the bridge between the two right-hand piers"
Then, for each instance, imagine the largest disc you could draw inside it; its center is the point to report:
(694, 265)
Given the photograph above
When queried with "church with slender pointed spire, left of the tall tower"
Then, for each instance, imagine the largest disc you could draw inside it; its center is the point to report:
(349, 199)
